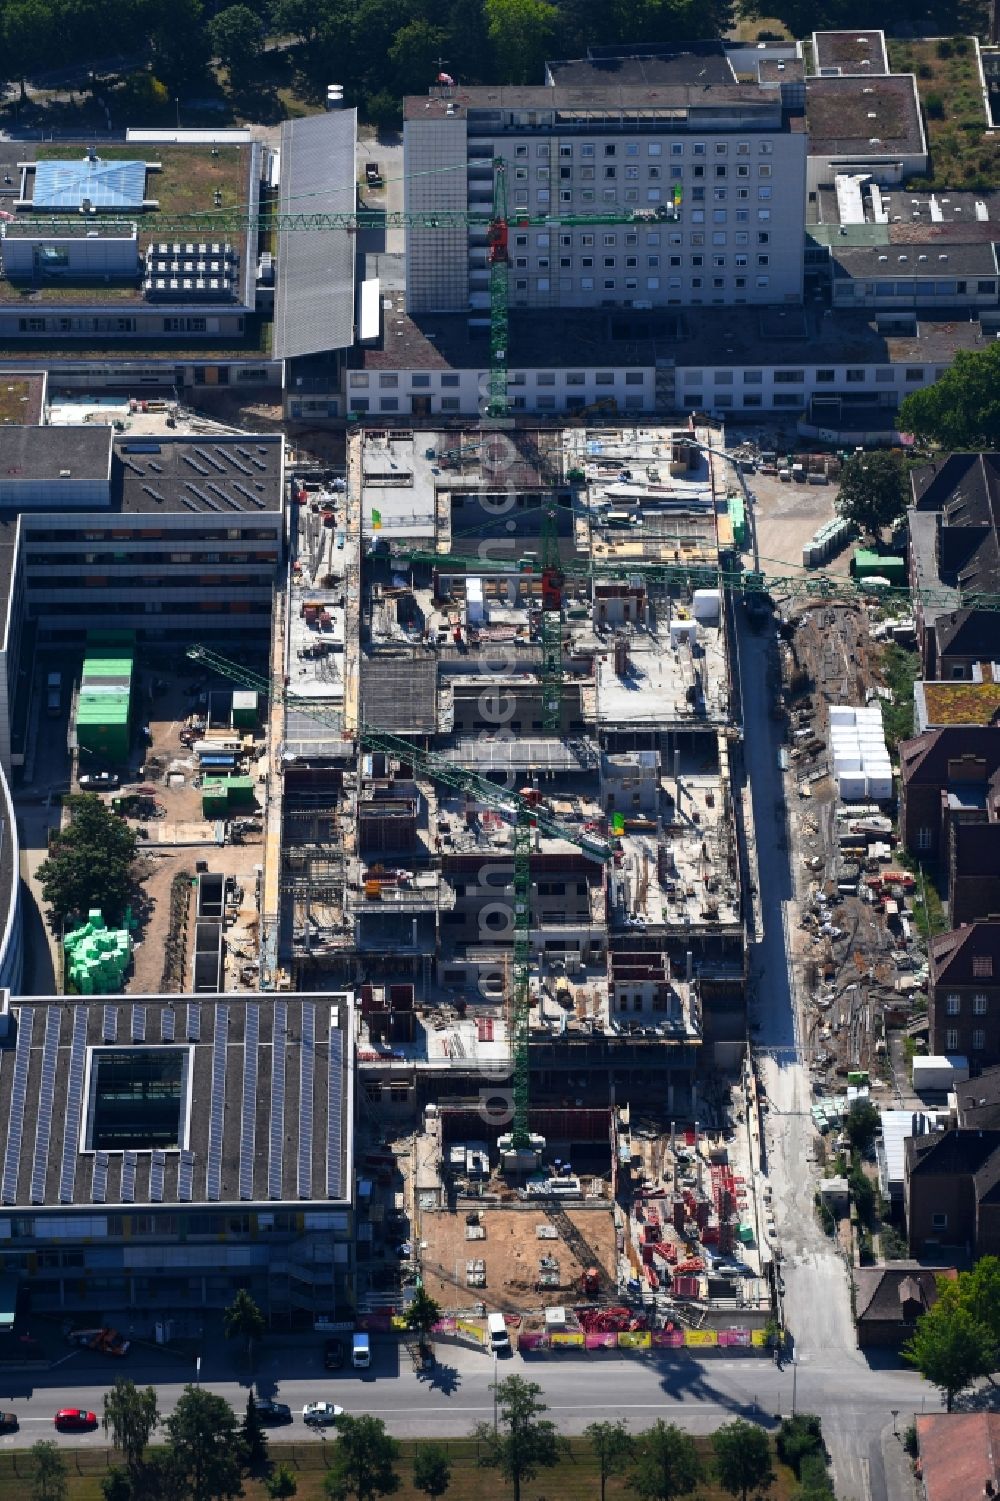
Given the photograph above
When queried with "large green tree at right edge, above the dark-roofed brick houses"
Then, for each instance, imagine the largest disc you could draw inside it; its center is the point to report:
(962, 411)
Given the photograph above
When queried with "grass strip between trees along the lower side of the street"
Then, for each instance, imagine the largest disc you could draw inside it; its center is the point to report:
(574, 1481)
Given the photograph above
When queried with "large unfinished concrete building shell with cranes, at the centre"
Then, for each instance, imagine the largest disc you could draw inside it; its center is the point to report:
(501, 811)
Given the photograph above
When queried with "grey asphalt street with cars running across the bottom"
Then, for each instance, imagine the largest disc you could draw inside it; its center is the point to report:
(700, 1394)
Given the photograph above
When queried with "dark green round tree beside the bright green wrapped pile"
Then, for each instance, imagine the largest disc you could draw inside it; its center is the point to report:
(91, 862)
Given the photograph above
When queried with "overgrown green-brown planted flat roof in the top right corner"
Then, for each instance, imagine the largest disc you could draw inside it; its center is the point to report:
(954, 112)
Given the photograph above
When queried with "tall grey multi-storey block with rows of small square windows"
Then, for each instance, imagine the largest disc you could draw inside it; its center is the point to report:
(697, 196)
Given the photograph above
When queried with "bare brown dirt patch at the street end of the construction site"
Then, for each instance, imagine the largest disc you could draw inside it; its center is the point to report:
(511, 1253)
